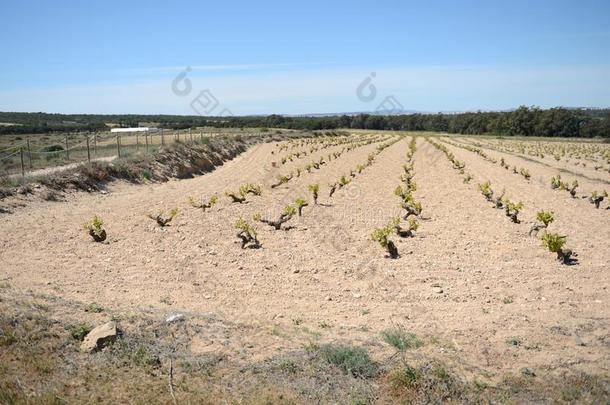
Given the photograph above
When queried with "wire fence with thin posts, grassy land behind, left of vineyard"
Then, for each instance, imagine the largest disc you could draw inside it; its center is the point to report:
(40, 153)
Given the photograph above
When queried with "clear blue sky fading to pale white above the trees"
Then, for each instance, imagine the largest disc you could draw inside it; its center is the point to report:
(307, 57)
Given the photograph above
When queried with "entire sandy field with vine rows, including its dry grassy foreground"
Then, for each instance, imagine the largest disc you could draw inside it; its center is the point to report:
(472, 307)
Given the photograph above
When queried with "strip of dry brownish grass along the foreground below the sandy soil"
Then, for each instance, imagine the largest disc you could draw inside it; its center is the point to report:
(40, 363)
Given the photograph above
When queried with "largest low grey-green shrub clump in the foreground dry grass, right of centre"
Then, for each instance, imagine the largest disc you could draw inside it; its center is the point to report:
(351, 359)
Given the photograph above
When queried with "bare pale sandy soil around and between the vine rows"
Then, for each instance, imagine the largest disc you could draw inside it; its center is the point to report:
(484, 297)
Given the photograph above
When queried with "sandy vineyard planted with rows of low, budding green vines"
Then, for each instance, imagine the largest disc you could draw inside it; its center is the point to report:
(493, 253)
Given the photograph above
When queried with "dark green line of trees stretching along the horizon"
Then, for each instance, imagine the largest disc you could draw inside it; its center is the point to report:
(524, 121)
